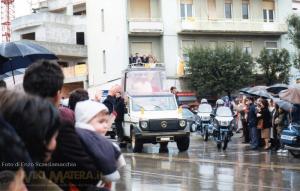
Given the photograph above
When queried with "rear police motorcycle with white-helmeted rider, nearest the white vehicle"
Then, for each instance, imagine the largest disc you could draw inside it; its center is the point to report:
(205, 128)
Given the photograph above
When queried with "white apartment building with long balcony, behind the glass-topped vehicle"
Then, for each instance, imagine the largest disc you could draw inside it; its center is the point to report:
(166, 28)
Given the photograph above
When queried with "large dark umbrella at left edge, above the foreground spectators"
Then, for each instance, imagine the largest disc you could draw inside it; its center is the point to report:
(21, 54)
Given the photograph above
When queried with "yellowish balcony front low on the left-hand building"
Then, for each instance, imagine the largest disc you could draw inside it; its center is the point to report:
(75, 73)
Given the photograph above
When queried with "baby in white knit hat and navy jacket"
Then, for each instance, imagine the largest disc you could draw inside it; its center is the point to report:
(92, 122)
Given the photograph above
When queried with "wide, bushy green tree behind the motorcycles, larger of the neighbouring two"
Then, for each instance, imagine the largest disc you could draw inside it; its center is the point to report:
(218, 71)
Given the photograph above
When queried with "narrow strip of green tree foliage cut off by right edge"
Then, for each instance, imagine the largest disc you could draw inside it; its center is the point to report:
(294, 34)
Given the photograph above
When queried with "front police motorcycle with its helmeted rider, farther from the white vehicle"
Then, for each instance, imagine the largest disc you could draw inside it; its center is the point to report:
(223, 124)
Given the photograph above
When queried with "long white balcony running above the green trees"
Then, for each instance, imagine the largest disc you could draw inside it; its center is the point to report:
(233, 26)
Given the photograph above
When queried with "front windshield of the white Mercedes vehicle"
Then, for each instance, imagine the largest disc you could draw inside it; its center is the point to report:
(154, 103)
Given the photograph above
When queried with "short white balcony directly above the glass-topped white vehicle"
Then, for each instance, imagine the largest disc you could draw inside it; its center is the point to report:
(148, 27)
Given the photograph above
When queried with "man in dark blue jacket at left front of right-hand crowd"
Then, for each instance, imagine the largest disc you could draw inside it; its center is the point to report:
(252, 122)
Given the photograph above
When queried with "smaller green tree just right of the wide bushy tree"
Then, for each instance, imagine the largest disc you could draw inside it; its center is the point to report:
(275, 65)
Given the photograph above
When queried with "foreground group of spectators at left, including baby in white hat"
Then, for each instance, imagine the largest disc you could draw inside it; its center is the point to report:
(45, 146)
